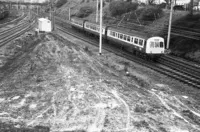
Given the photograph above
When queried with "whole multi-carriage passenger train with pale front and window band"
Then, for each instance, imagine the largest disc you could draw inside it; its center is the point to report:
(136, 42)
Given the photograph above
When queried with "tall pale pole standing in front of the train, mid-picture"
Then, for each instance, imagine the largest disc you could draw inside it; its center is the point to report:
(101, 17)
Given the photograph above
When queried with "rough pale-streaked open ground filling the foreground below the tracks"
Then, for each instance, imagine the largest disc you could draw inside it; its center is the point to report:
(57, 83)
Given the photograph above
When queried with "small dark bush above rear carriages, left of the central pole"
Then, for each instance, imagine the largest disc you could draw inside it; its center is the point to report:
(84, 11)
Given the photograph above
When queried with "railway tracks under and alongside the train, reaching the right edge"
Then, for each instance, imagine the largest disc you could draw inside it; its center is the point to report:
(167, 66)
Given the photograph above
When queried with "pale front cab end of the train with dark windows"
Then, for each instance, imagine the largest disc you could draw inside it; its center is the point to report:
(155, 47)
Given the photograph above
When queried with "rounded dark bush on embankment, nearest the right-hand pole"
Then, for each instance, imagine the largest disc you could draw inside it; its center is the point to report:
(150, 13)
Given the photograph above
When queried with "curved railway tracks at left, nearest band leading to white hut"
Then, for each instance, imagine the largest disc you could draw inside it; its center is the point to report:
(9, 34)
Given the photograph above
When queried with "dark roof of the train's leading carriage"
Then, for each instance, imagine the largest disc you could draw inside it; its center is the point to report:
(129, 32)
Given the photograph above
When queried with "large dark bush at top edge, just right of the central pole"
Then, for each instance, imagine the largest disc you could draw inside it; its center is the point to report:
(119, 7)
